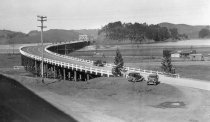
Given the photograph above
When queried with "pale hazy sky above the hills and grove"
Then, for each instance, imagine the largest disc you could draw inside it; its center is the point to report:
(21, 15)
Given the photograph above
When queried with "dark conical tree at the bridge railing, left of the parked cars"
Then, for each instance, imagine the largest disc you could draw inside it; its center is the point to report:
(119, 64)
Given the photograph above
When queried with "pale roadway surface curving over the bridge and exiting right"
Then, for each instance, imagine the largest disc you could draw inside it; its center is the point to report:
(37, 50)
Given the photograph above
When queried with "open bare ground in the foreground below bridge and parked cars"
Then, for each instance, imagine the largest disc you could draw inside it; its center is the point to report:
(116, 99)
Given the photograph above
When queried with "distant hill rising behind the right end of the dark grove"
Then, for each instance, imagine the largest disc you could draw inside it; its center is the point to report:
(191, 31)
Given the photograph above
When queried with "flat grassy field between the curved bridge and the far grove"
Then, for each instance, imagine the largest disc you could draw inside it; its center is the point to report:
(149, 57)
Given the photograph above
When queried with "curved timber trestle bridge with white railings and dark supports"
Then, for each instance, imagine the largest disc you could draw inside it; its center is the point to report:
(58, 65)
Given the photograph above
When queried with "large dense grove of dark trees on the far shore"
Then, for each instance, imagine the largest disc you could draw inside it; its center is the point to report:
(139, 32)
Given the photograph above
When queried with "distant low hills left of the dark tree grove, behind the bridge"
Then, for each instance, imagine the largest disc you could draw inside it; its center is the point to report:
(52, 35)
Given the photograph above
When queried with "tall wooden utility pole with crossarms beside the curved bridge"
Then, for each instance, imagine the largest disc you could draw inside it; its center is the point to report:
(42, 19)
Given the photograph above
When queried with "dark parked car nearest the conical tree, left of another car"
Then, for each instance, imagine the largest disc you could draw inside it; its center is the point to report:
(135, 77)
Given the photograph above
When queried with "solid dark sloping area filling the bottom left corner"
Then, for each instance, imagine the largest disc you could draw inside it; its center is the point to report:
(19, 104)
